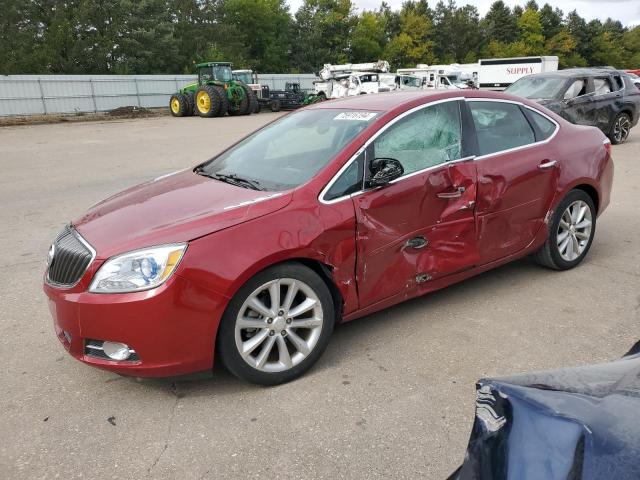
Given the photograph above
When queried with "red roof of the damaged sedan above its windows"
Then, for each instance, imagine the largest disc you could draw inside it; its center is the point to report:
(402, 100)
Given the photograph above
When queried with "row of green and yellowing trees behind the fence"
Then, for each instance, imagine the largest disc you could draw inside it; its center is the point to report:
(170, 36)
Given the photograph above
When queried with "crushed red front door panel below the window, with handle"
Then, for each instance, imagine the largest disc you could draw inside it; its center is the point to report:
(390, 218)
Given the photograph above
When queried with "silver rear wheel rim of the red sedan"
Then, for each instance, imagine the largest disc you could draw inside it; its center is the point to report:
(574, 230)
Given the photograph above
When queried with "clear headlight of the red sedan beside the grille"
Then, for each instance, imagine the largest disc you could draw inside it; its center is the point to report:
(138, 270)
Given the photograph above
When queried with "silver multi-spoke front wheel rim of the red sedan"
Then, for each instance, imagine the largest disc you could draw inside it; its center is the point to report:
(278, 325)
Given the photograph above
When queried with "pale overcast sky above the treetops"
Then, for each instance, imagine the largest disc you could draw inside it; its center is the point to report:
(627, 11)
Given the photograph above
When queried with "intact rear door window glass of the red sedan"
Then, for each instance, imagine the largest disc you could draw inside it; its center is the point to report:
(500, 126)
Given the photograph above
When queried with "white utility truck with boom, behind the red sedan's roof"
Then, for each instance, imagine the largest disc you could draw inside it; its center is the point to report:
(352, 79)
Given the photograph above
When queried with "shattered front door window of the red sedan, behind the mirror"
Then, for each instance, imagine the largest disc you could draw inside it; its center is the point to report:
(425, 138)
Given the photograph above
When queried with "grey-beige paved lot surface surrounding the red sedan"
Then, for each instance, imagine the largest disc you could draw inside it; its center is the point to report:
(392, 397)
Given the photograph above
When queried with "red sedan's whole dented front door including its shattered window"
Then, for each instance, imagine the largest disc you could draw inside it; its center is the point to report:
(421, 226)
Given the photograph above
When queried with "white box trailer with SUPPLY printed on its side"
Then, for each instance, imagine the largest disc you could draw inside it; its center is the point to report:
(499, 73)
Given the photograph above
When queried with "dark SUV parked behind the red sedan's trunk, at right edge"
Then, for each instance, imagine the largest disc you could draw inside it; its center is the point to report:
(600, 97)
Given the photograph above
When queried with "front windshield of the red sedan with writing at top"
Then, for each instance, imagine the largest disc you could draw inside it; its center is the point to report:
(290, 151)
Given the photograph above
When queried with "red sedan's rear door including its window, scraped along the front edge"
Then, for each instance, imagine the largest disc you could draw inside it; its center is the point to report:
(517, 175)
